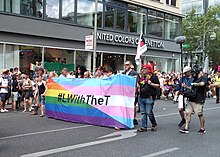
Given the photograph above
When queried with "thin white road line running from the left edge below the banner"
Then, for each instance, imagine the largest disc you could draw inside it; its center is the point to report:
(43, 132)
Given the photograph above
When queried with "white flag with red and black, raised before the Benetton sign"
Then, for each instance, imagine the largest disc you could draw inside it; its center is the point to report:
(140, 49)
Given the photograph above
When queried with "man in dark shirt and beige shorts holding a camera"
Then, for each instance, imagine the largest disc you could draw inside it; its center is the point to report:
(196, 103)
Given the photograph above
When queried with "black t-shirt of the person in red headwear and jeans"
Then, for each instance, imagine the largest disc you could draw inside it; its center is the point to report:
(147, 90)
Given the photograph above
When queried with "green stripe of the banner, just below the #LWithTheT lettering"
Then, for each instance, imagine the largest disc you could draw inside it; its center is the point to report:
(54, 100)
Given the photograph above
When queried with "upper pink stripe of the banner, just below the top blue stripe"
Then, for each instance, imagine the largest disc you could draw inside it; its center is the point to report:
(104, 90)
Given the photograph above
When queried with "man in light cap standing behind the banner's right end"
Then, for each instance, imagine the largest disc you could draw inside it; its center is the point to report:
(129, 70)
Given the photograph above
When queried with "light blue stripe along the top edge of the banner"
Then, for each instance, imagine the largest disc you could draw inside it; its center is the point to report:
(119, 79)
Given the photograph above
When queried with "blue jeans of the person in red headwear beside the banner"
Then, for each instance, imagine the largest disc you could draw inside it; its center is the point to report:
(146, 107)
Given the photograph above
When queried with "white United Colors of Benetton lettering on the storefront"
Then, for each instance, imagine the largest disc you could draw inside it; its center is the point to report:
(128, 40)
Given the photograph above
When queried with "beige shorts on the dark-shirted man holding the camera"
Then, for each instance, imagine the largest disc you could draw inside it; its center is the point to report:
(196, 107)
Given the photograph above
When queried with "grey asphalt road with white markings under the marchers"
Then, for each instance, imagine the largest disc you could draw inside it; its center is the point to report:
(22, 134)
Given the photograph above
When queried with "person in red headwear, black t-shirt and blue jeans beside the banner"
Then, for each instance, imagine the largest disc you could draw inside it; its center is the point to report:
(147, 84)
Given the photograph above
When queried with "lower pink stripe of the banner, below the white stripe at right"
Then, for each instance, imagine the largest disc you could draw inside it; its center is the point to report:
(118, 111)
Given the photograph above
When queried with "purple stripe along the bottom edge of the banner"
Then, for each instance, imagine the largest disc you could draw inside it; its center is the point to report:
(109, 122)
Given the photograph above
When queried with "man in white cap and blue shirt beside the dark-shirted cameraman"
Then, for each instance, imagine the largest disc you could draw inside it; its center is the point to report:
(185, 80)
